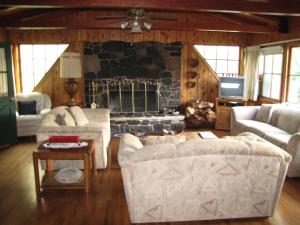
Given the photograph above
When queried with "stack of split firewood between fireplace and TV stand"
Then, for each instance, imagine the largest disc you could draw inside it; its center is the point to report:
(200, 114)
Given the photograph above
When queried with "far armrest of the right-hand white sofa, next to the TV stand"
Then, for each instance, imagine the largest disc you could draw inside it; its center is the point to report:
(244, 112)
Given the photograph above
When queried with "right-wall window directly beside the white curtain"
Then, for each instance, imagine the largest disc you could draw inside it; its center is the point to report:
(270, 66)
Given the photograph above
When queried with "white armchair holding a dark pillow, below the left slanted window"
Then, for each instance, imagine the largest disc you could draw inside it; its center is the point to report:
(27, 124)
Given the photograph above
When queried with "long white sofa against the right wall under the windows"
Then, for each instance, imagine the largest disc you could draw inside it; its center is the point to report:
(277, 123)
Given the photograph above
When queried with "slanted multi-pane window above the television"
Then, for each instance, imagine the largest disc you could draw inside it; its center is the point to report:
(224, 60)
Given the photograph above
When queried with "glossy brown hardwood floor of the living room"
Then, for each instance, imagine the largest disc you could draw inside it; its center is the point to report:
(104, 205)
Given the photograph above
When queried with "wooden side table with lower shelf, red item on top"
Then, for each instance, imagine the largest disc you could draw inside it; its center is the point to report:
(87, 154)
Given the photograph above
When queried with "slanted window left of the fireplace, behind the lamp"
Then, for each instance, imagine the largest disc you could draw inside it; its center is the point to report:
(36, 60)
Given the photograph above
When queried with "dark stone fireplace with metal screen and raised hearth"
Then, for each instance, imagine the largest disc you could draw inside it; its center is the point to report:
(134, 80)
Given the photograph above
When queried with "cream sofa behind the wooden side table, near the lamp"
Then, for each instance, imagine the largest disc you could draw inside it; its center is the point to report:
(97, 127)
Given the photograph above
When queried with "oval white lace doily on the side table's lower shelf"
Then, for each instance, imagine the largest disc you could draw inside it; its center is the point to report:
(69, 176)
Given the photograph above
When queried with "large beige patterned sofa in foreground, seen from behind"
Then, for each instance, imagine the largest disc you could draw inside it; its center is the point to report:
(201, 179)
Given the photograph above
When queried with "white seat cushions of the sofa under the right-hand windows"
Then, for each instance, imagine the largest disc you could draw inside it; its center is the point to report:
(259, 128)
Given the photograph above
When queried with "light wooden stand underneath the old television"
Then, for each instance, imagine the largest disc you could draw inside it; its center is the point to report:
(223, 110)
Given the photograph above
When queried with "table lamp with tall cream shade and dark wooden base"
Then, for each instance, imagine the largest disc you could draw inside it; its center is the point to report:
(70, 67)
